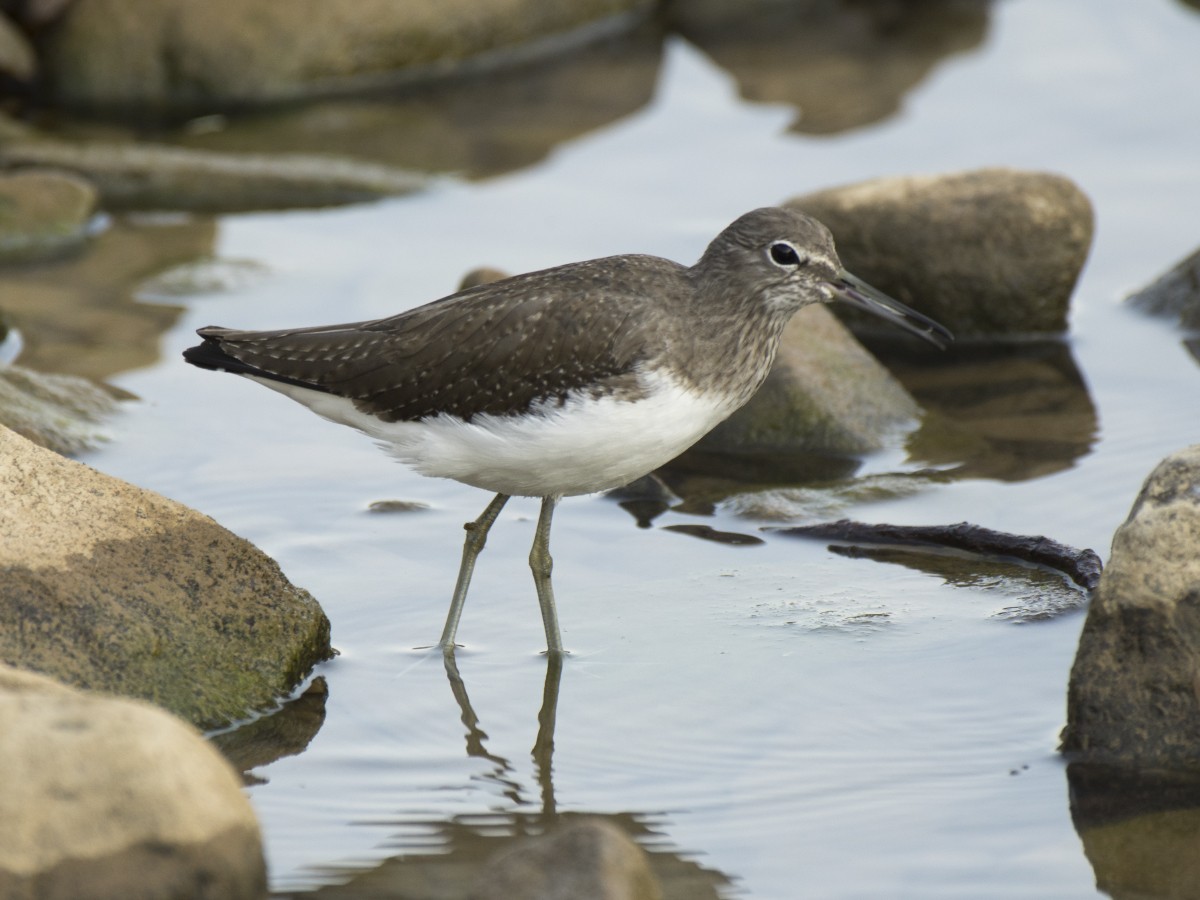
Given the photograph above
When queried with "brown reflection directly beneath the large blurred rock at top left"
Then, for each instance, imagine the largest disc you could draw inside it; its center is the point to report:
(475, 128)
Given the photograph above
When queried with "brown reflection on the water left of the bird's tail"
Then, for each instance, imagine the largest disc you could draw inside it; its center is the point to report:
(81, 317)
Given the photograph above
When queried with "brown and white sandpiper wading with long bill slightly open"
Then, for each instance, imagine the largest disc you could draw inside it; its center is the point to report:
(566, 381)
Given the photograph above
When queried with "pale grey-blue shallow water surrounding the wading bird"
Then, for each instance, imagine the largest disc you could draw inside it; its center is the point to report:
(773, 721)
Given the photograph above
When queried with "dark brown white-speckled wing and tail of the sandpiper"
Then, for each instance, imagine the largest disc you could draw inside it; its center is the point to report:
(499, 349)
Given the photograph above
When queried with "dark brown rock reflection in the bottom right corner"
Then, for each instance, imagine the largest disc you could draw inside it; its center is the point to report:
(1141, 831)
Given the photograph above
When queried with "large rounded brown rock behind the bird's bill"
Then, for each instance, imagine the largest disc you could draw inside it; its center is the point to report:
(993, 253)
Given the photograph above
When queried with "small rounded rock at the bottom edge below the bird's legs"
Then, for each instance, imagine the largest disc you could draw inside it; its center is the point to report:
(590, 859)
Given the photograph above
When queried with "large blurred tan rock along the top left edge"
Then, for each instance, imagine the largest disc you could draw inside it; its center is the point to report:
(208, 55)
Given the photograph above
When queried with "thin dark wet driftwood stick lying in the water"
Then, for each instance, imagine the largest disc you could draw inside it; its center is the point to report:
(1083, 567)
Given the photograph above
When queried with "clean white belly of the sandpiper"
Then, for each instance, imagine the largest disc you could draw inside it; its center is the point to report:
(581, 447)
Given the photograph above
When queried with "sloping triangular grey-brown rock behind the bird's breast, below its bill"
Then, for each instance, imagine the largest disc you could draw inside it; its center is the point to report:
(825, 395)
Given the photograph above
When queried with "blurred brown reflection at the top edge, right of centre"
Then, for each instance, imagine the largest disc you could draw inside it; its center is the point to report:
(842, 65)
